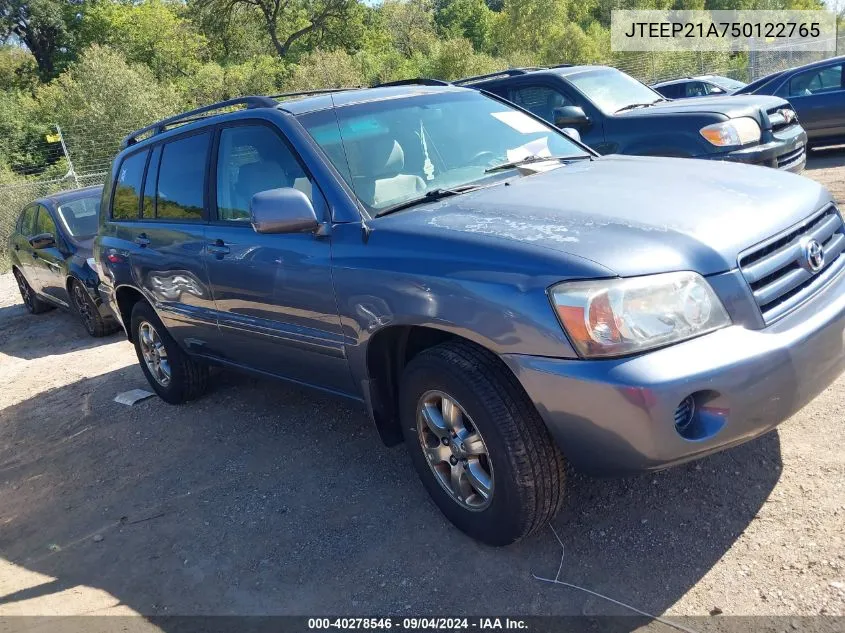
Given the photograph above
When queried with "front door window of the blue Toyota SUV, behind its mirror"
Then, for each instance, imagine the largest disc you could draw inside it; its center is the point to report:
(252, 159)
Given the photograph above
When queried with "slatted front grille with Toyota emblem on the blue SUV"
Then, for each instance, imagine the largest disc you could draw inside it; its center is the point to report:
(779, 271)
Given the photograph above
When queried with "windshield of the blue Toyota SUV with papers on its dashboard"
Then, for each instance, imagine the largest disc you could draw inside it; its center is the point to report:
(397, 150)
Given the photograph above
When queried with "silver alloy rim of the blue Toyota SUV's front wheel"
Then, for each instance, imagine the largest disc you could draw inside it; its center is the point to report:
(454, 450)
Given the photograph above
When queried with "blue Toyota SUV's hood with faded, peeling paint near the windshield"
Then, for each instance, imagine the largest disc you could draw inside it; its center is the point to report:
(632, 215)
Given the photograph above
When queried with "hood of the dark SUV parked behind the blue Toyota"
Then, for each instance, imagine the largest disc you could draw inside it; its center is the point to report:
(755, 106)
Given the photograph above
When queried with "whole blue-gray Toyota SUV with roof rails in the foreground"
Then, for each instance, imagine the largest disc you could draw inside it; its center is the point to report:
(495, 294)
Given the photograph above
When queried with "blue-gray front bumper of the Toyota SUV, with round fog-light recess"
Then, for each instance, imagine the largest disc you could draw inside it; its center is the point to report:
(617, 416)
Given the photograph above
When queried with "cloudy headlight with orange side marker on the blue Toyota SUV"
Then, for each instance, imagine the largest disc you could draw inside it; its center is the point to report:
(615, 317)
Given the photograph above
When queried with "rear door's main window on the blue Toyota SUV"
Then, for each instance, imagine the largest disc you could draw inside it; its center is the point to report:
(181, 178)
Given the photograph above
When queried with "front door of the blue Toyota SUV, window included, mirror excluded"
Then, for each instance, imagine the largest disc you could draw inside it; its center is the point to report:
(273, 293)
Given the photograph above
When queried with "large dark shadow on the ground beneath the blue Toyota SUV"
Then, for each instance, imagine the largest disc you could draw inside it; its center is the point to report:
(264, 499)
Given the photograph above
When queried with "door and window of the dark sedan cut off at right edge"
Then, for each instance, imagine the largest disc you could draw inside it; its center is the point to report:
(818, 97)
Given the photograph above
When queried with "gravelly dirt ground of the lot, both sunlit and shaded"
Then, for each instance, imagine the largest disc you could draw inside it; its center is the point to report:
(262, 498)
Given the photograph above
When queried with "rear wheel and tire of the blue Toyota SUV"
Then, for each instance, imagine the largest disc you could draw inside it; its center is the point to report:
(186, 378)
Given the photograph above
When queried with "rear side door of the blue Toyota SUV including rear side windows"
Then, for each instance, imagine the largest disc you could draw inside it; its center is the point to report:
(159, 209)
